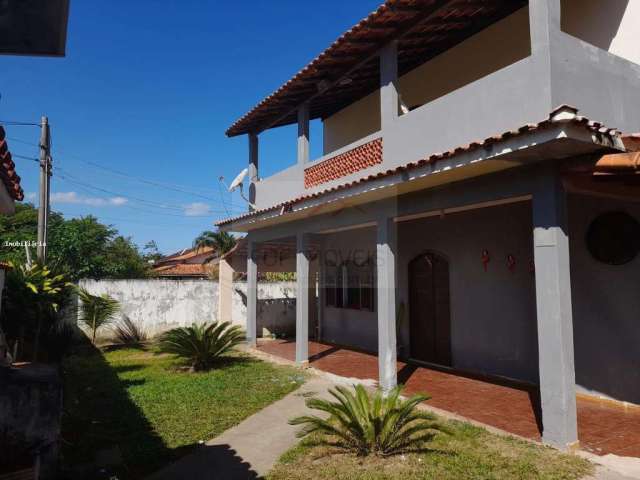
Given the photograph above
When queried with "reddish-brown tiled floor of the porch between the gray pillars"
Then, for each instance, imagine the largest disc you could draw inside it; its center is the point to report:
(602, 427)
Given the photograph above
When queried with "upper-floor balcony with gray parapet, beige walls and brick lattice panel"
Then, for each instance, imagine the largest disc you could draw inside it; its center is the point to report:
(512, 73)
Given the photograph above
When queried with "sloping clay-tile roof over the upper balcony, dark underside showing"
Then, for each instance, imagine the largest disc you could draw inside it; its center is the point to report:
(348, 69)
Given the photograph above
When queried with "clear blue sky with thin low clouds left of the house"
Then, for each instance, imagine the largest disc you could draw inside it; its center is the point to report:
(139, 106)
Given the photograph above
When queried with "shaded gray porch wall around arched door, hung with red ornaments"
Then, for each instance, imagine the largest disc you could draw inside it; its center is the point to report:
(493, 314)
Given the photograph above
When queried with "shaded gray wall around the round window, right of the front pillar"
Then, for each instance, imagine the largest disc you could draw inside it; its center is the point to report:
(606, 309)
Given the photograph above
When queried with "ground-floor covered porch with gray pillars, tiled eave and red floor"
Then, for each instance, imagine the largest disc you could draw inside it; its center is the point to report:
(468, 264)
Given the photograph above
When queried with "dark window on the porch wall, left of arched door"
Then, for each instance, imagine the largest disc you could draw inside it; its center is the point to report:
(350, 285)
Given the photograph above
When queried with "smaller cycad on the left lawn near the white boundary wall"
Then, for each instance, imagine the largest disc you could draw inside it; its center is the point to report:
(201, 344)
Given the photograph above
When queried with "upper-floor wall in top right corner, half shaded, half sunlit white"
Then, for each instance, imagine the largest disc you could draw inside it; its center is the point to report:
(612, 25)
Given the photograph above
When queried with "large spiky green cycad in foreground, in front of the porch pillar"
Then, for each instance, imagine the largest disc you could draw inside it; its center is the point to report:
(366, 424)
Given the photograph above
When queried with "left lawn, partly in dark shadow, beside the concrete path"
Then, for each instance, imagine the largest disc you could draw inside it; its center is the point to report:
(146, 409)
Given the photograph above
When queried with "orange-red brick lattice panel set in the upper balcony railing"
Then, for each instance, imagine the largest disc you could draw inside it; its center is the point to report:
(344, 164)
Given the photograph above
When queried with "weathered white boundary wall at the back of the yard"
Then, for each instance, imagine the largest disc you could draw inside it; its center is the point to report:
(159, 305)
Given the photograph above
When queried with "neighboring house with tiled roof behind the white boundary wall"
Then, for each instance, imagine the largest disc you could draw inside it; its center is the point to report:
(194, 262)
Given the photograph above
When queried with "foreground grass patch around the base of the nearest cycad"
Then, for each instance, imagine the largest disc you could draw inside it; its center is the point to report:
(469, 453)
